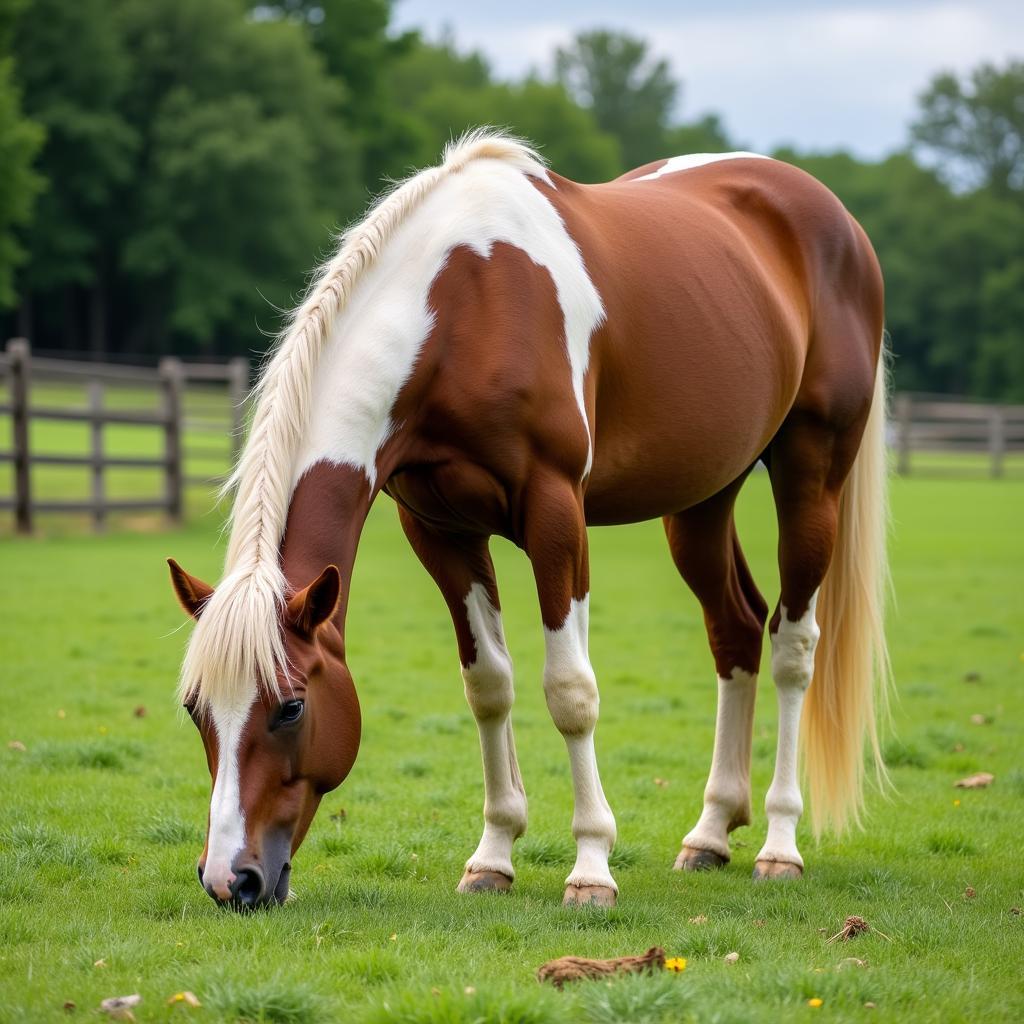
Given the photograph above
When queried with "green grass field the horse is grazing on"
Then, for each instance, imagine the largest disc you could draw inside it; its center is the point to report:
(104, 810)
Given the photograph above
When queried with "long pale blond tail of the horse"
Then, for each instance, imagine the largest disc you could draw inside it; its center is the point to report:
(852, 678)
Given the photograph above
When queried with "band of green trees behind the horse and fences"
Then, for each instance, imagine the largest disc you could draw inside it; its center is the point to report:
(172, 169)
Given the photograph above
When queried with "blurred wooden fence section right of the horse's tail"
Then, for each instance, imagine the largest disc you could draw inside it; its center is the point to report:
(934, 423)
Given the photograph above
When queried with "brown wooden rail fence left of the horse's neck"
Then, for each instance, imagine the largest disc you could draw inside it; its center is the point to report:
(168, 383)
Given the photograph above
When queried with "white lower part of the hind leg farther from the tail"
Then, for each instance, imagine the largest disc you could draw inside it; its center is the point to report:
(728, 795)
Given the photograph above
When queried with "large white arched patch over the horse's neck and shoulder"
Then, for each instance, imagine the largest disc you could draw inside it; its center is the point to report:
(376, 339)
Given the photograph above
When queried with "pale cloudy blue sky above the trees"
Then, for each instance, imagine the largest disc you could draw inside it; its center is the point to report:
(820, 76)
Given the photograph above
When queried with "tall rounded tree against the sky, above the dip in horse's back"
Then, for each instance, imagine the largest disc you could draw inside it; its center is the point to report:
(630, 95)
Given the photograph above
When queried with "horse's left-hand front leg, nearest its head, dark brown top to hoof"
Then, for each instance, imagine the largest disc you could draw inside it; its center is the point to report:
(462, 569)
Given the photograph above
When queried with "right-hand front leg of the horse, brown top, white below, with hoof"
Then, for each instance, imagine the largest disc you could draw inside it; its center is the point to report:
(557, 542)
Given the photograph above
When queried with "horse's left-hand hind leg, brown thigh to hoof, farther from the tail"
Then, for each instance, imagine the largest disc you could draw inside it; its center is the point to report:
(707, 552)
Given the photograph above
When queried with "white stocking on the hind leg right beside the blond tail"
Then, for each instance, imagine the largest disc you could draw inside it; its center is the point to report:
(792, 666)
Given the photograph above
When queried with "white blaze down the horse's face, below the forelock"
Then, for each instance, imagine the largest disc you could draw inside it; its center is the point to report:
(228, 823)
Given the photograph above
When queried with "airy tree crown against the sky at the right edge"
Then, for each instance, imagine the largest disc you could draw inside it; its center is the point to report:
(973, 131)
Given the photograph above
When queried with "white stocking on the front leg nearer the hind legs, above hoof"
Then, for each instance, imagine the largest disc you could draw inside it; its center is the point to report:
(571, 690)
